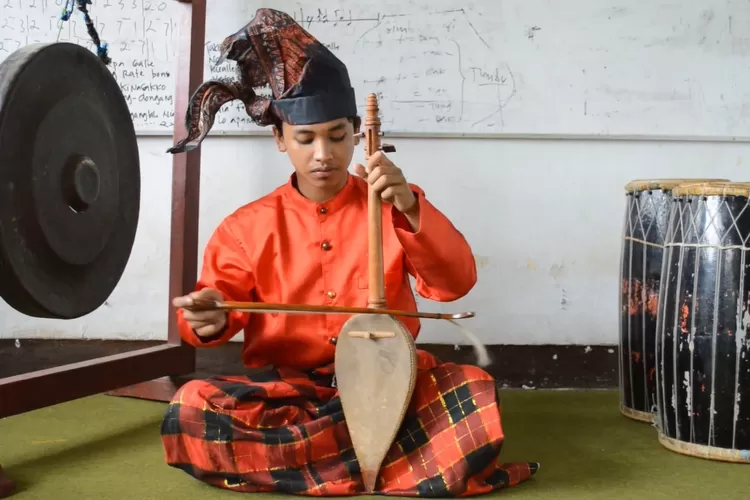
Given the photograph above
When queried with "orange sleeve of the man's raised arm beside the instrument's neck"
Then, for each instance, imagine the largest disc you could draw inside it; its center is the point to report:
(437, 255)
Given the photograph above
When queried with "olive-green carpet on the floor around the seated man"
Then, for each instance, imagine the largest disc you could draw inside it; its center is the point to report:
(108, 448)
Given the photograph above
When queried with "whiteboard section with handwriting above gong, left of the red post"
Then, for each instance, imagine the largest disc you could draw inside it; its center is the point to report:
(140, 35)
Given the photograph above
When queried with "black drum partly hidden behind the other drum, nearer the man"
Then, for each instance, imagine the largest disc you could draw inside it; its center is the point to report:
(646, 217)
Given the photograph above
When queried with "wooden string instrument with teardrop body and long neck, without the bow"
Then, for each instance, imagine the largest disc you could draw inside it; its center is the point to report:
(376, 357)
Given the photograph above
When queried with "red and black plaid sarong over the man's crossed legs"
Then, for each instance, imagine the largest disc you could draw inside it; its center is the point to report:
(283, 431)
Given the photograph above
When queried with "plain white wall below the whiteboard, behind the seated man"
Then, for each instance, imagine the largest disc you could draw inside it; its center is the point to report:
(548, 260)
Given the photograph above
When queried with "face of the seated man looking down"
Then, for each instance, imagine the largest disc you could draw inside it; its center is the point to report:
(321, 153)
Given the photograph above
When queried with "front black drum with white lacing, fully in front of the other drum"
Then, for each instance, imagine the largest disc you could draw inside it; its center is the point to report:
(703, 347)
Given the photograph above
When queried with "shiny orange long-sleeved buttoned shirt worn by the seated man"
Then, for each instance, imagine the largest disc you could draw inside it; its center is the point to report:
(285, 248)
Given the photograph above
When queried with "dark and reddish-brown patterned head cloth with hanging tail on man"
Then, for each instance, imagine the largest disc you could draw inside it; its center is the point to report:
(309, 84)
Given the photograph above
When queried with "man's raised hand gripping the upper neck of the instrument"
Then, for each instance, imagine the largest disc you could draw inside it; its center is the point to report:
(388, 180)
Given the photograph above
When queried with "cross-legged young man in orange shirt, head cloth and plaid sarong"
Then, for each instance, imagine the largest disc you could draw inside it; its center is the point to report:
(281, 427)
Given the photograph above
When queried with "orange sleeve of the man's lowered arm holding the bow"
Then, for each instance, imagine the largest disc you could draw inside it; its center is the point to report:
(225, 269)
